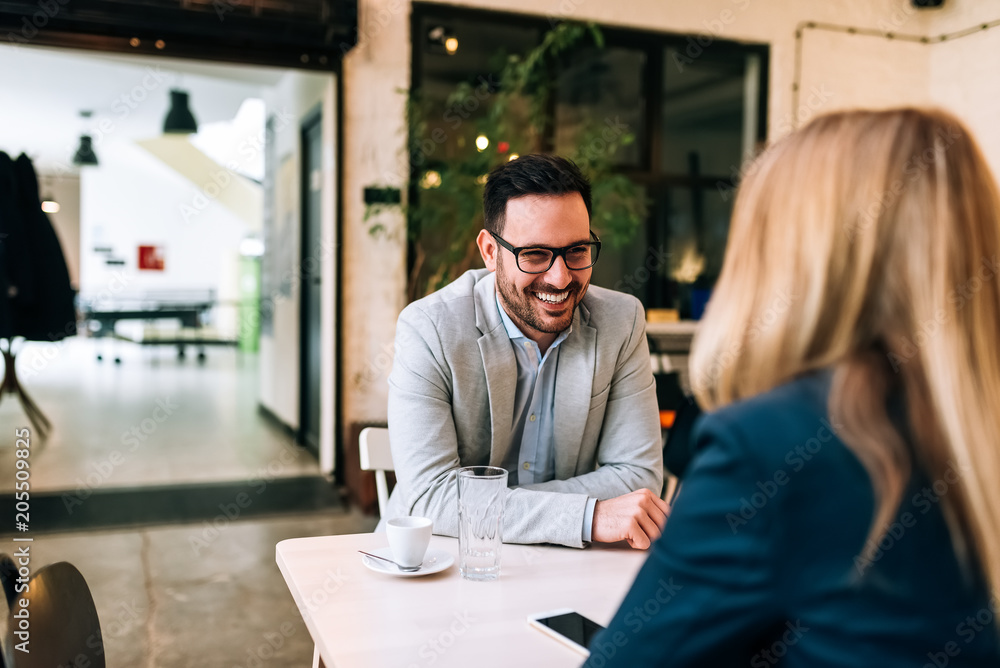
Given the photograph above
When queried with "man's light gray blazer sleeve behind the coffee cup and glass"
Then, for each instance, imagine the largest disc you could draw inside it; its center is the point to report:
(425, 455)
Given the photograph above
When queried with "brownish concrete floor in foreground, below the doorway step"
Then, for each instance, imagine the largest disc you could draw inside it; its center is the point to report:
(166, 602)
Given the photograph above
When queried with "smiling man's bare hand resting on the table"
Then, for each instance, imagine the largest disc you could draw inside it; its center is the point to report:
(637, 517)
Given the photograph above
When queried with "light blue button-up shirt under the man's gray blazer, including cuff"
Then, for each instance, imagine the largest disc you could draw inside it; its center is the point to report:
(532, 428)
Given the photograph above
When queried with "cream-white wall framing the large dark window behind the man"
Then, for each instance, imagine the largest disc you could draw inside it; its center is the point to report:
(855, 70)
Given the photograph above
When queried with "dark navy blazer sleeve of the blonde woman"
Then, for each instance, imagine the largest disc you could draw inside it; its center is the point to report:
(707, 595)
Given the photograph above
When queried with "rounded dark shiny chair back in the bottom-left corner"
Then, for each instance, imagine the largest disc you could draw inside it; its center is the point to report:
(65, 628)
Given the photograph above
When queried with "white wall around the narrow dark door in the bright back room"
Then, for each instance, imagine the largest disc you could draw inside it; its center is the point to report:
(295, 97)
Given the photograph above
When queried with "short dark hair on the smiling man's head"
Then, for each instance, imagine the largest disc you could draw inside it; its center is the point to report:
(535, 174)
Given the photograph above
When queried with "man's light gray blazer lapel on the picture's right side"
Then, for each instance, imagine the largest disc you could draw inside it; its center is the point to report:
(574, 384)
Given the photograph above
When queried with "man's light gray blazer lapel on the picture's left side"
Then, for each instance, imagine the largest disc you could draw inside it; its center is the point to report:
(500, 367)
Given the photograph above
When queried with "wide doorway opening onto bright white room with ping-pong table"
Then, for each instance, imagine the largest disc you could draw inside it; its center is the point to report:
(160, 426)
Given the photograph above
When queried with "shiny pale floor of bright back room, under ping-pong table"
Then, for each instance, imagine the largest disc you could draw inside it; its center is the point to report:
(170, 421)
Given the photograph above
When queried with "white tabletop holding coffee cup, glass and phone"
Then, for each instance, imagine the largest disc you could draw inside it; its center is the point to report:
(359, 618)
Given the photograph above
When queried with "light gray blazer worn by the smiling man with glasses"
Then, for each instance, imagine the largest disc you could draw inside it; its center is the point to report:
(451, 404)
